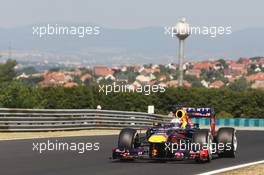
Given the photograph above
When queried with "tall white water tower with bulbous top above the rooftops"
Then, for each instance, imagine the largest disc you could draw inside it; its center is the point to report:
(182, 31)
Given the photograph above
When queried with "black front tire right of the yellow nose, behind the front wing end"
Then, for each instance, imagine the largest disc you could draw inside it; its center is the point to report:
(202, 137)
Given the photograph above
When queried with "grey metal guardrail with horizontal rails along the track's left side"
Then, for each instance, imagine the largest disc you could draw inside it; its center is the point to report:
(60, 119)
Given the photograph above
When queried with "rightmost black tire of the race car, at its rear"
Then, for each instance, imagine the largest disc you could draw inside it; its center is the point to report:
(227, 135)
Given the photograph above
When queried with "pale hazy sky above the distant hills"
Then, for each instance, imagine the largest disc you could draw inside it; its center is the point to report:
(133, 13)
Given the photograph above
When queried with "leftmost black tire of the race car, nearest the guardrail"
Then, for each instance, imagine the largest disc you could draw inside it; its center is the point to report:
(128, 139)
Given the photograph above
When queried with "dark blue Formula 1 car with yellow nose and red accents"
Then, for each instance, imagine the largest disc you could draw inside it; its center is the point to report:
(165, 141)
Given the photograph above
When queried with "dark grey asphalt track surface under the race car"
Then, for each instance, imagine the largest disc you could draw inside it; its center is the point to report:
(17, 158)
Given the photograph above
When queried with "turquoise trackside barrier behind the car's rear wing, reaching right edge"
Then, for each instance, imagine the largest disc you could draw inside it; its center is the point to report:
(243, 122)
